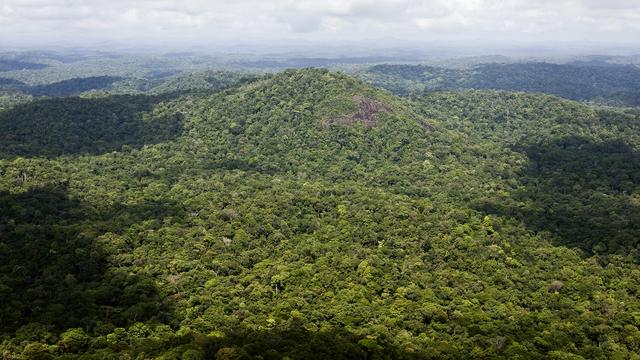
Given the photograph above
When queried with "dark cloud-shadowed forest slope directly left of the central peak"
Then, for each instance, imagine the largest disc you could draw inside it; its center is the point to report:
(74, 125)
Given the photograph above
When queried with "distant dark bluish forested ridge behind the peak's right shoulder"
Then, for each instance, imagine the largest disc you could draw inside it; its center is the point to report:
(599, 82)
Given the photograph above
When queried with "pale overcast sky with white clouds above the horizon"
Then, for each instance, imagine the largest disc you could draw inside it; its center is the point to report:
(43, 22)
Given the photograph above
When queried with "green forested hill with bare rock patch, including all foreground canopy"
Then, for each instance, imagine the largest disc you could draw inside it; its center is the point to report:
(307, 215)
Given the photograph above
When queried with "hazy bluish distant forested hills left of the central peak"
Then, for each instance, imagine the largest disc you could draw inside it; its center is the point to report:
(35, 75)
